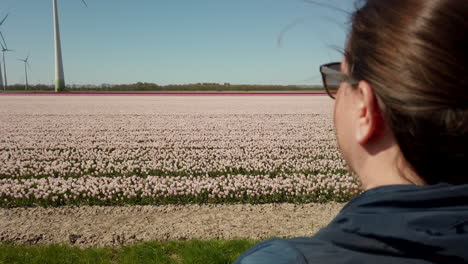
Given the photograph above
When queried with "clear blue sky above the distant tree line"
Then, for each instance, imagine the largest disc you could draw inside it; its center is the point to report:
(175, 41)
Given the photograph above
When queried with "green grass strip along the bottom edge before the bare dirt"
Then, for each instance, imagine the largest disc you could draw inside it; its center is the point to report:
(192, 251)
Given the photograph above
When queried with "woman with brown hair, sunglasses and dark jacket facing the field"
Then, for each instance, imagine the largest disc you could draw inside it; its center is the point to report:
(401, 119)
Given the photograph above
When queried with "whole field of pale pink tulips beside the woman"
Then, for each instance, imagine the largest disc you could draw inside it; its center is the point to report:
(115, 150)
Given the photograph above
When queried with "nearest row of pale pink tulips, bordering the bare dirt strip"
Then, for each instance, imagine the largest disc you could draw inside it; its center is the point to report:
(89, 190)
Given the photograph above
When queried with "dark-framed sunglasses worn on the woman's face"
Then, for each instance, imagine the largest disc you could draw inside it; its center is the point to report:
(332, 77)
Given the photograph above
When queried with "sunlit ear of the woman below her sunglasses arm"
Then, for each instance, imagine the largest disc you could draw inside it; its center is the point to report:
(368, 118)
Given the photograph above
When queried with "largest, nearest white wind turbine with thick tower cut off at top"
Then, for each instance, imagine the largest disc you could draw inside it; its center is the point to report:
(59, 76)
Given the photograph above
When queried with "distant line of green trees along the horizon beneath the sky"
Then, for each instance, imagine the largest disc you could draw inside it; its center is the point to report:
(152, 87)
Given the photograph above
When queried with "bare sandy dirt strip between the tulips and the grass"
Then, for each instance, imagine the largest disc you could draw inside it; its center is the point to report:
(89, 226)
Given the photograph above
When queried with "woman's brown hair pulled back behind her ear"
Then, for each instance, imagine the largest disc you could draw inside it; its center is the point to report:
(414, 53)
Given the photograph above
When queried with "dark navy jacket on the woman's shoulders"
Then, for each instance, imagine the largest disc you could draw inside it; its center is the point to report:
(390, 224)
